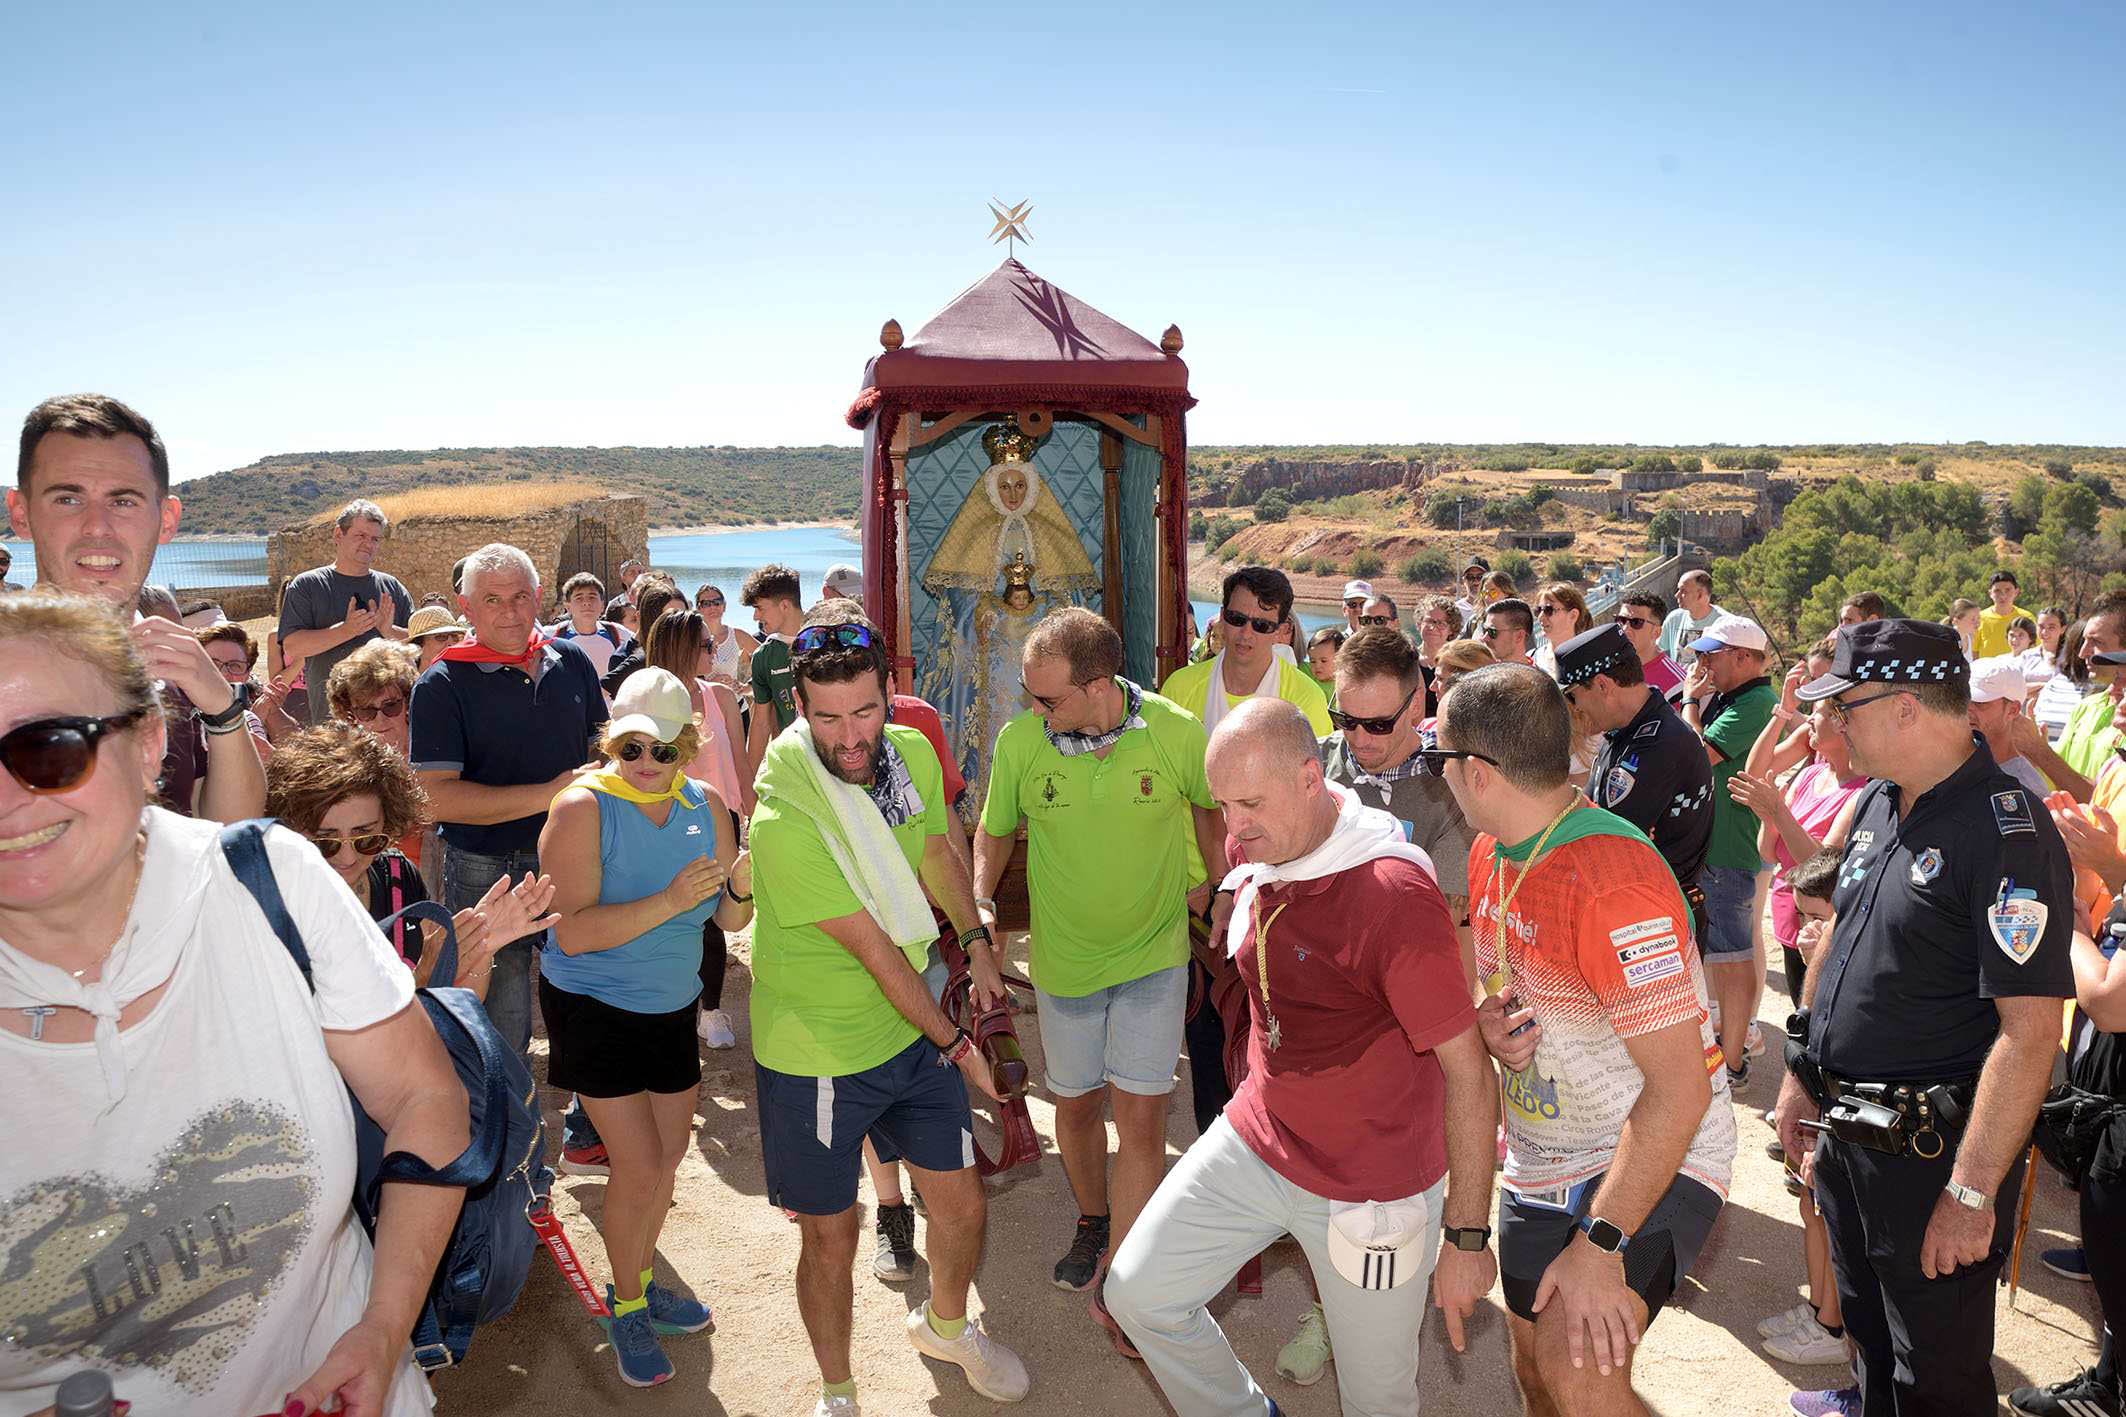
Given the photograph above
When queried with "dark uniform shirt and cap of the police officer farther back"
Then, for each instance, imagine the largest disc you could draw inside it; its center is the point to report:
(1653, 772)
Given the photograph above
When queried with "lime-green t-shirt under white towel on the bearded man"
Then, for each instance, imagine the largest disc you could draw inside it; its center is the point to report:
(817, 1012)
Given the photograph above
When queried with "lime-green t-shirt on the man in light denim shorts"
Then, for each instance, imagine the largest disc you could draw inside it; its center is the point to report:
(1109, 847)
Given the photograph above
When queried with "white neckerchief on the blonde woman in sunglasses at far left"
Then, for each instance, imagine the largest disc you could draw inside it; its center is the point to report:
(165, 912)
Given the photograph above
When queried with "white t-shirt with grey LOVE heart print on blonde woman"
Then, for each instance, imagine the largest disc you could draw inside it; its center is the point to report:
(197, 1242)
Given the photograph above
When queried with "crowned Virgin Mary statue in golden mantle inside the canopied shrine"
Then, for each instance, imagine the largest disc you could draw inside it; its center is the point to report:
(1005, 562)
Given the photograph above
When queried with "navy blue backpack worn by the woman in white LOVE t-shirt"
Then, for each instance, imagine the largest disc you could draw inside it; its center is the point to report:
(503, 1172)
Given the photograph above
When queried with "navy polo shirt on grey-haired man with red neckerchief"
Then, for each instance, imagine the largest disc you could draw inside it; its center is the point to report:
(496, 728)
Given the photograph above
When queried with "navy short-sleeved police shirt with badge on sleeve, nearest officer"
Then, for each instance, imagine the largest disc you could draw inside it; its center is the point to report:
(1961, 902)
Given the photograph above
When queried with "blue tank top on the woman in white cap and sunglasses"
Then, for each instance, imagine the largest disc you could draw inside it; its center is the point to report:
(660, 970)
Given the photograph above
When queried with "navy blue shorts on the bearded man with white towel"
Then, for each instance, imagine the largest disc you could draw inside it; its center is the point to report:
(913, 1106)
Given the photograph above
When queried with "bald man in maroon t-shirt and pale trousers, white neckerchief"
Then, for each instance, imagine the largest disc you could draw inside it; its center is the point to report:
(1368, 1112)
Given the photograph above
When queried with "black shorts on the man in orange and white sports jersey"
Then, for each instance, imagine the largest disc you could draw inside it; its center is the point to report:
(1661, 1252)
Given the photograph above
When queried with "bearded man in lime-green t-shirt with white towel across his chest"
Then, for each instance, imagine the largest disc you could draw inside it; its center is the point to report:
(847, 1042)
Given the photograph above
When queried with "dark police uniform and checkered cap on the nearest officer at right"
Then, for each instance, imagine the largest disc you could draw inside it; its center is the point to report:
(1963, 900)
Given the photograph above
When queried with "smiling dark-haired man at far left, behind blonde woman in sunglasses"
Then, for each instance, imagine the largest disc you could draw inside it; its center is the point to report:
(92, 494)
